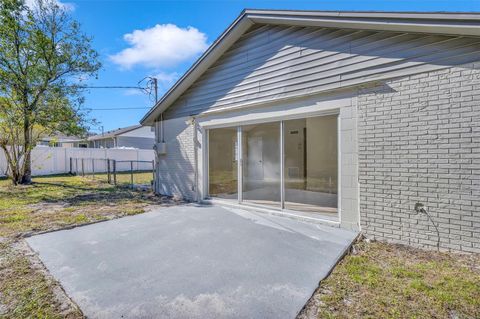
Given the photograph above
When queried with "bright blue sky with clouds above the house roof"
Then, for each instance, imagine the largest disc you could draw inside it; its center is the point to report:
(137, 39)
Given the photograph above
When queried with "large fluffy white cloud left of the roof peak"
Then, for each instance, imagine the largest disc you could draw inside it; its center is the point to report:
(163, 46)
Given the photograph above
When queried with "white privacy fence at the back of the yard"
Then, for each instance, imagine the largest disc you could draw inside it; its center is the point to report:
(56, 160)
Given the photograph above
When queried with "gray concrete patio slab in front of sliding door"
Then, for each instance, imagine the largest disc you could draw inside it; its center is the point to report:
(192, 262)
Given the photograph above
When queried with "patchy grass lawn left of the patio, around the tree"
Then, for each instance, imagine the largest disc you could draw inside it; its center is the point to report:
(53, 202)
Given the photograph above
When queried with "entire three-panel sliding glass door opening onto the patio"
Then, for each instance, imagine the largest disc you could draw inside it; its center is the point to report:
(291, 164)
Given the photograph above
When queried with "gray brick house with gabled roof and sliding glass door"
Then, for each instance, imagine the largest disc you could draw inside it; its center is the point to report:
(363, 120)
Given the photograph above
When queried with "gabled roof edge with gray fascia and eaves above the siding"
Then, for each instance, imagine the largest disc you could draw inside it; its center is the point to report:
(449, 23)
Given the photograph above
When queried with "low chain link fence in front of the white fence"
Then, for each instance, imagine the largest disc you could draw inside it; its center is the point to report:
(129, 173)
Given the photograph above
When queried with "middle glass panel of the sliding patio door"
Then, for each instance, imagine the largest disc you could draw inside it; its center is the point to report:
(261, 164)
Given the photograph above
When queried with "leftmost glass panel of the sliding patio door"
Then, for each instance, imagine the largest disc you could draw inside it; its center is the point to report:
(223, 163)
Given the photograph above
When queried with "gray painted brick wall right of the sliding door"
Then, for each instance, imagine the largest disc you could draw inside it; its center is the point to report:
(419, 141)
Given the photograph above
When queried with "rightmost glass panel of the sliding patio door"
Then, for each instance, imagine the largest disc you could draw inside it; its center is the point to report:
(311, 165)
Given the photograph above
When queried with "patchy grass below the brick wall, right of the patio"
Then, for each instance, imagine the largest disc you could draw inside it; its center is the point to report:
(392, 281)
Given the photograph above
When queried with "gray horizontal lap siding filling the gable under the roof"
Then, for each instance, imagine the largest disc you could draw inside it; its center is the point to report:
(275, 62)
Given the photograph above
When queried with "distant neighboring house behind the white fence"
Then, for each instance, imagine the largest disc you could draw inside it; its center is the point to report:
(136, 136)
